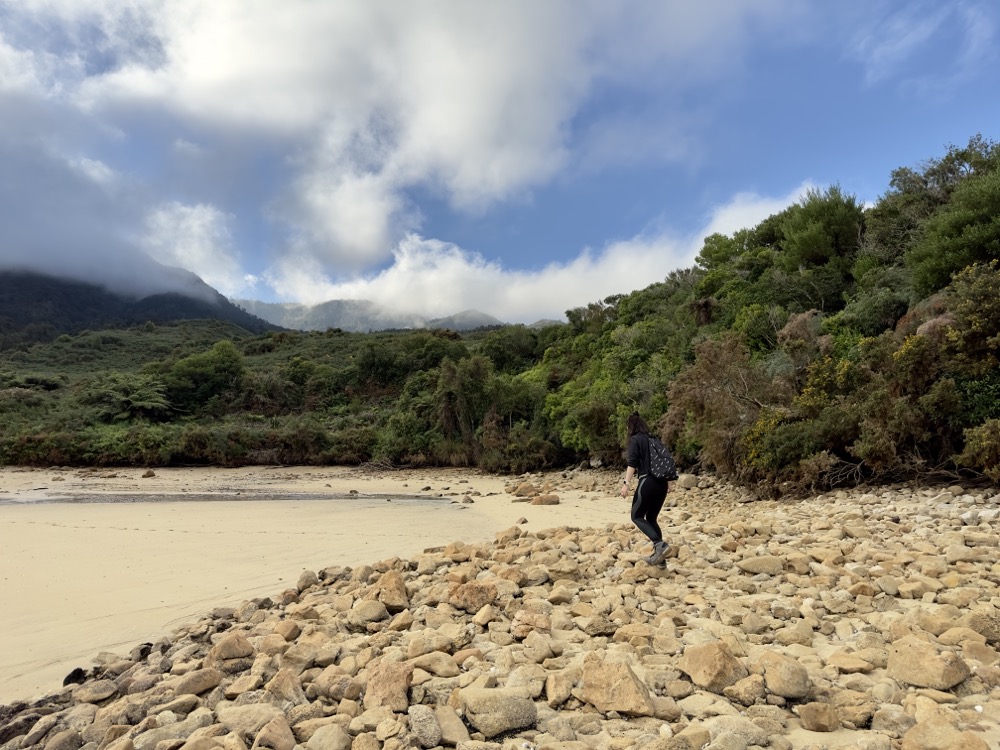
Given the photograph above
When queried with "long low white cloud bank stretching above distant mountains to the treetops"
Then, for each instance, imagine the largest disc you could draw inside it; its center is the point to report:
(433, 278)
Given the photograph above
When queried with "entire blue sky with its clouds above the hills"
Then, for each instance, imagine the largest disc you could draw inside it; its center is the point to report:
(521, 158)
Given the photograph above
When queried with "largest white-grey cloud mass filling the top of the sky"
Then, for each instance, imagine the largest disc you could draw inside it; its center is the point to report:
(476, 103)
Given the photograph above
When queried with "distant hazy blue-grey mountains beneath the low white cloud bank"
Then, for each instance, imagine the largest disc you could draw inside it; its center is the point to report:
(358, 316)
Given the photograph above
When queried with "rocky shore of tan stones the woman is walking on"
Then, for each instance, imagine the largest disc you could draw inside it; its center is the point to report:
(865, 619)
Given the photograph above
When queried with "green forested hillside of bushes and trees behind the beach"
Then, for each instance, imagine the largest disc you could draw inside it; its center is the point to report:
(831, 344)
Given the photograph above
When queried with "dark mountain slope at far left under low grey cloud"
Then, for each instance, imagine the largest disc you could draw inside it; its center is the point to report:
(36, 307)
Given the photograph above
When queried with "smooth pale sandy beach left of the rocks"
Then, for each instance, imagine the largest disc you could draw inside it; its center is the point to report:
(96, 561)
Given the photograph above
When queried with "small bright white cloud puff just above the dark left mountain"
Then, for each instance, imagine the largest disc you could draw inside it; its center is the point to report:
(198, 239)
